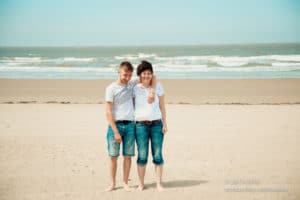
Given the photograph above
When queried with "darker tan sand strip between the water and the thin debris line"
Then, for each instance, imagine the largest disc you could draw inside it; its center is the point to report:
(178, 91)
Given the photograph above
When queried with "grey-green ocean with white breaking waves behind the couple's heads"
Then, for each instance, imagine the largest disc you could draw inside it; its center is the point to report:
(252, 61)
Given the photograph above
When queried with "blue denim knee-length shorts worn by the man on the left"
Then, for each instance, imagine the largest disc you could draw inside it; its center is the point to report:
(127, 132)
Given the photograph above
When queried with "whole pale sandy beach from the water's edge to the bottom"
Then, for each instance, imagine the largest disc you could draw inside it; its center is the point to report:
(53, 150)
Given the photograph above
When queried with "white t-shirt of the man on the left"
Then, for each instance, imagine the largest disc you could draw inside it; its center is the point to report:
(121, 97)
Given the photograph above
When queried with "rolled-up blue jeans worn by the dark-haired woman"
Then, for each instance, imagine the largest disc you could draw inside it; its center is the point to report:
(154, 134)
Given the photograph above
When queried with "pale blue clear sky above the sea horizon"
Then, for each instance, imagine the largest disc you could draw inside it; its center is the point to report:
(134, 23)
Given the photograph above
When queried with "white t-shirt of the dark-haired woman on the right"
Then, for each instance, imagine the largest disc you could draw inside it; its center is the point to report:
(143, 109)
